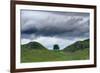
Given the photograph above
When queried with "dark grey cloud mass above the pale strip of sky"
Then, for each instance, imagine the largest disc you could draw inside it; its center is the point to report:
(54, 24)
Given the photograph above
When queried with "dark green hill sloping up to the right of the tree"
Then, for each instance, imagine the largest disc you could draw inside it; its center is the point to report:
(79, 45)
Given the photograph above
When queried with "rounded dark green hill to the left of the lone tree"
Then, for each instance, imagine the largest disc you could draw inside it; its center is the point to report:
(33, 45)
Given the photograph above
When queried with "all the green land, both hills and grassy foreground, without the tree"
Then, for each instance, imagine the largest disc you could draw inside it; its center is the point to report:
(35, 52)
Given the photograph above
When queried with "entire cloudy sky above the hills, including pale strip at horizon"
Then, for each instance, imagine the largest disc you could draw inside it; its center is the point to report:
(52, 27)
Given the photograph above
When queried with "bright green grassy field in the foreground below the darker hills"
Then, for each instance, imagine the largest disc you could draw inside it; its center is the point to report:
(42, 55)
